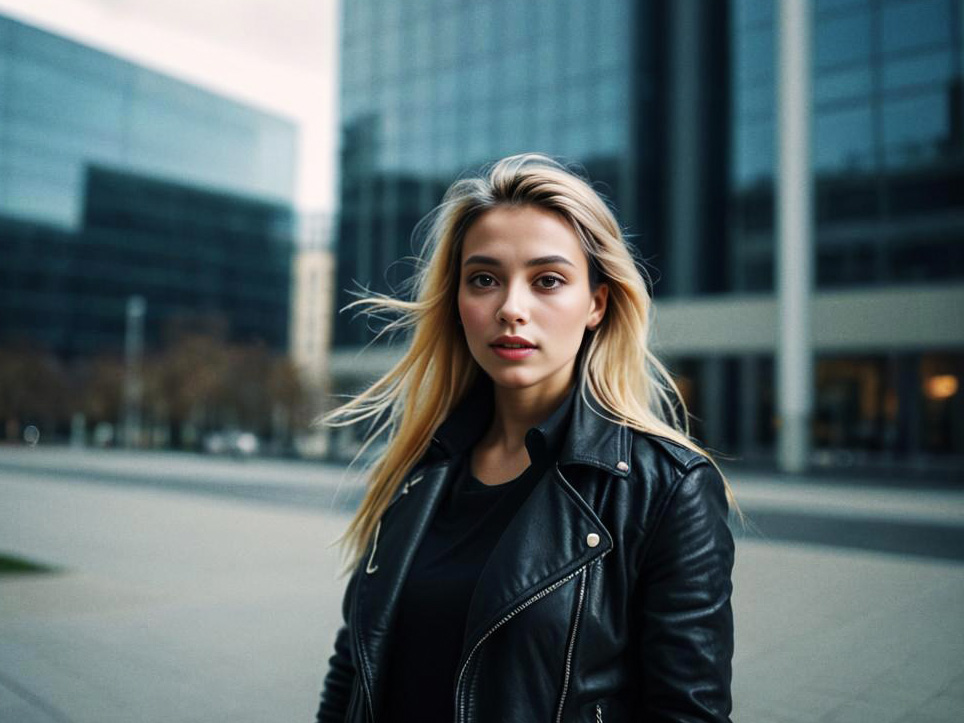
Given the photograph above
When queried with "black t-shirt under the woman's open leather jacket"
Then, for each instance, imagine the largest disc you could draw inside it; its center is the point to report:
(429, 626)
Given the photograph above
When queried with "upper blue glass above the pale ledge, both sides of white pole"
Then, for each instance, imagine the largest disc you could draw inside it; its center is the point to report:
(887, 142)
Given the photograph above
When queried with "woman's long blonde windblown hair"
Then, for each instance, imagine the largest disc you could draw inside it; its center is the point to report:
(417, 394)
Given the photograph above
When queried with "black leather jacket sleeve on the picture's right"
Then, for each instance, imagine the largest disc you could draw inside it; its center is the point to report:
(683, 603)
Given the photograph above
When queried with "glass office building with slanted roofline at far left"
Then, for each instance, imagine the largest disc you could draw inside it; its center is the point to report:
(117, 181)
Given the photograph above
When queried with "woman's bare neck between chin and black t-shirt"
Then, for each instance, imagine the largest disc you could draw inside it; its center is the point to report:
(517, 410)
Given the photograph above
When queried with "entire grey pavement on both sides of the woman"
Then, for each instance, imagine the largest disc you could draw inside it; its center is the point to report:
(194, 588)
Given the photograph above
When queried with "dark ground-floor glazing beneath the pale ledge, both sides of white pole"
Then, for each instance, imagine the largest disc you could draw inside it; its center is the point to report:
(869, 407)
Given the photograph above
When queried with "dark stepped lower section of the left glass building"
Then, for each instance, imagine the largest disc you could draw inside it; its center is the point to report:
(186, 252)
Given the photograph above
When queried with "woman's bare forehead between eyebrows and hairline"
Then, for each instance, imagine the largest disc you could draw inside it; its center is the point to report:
(521, 233)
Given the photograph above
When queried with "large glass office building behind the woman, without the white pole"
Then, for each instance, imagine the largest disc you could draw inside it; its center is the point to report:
(671, 108)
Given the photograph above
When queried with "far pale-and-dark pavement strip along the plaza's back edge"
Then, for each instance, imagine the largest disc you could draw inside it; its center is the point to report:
(896, 518)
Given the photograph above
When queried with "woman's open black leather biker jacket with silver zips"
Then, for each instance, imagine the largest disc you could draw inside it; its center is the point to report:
(606, 599)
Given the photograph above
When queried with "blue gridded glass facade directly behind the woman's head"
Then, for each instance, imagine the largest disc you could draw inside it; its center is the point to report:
(430, 88)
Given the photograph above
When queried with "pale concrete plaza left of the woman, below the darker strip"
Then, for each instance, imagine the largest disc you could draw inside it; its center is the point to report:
(173, 607)
